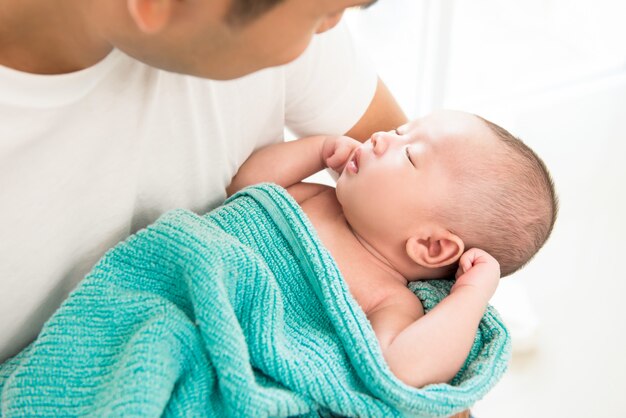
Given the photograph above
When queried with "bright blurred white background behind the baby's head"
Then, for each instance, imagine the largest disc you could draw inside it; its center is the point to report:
(553, 72)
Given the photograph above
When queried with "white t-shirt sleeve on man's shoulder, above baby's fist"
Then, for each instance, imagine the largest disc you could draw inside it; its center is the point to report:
(330, 86)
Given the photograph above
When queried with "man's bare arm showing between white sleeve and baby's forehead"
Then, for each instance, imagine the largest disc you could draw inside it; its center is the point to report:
(382, 114)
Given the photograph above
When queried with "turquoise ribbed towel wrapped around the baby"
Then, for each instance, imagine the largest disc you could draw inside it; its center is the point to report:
(241, 312)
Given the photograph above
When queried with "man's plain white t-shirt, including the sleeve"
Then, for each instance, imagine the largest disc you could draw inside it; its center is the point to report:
(90, 157)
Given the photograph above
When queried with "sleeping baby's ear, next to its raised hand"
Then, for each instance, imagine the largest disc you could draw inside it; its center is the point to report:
(437, 250)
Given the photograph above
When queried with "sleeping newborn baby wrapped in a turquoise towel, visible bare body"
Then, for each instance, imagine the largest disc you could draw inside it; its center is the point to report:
(447, 194)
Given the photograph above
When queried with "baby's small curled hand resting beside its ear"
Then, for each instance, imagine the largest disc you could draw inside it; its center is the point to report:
(479, 270)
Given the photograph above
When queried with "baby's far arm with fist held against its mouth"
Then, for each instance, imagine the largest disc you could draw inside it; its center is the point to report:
(288, 163)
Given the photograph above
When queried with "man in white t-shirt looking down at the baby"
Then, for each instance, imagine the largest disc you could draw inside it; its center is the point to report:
(115, 111)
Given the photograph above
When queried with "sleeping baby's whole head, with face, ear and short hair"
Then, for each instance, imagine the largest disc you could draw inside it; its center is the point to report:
(443, 184)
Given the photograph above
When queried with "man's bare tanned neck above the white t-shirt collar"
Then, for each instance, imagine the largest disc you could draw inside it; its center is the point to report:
(49, 37)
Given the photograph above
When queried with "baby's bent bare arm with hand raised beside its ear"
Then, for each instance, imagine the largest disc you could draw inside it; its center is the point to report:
(433, 348)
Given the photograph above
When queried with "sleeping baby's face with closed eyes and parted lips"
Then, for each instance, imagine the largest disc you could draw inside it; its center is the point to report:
(401, 179)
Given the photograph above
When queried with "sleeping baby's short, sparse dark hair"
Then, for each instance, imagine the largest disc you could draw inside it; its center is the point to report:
(513, 203)
